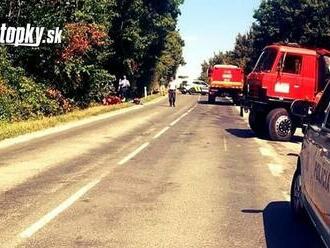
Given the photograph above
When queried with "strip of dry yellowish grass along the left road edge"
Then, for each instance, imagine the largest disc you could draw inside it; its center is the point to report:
(11, 130)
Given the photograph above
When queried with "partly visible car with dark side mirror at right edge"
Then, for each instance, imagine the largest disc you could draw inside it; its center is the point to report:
(310, 190)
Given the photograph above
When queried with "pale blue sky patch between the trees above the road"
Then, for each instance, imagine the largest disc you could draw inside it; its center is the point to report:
(209, 26)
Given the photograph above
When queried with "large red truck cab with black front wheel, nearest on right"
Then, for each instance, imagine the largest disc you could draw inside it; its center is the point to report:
(282, 75)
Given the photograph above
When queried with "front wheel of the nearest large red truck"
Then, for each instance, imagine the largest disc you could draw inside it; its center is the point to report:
(280, 125)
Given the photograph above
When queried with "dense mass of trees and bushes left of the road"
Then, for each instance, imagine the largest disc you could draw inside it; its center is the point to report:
(101, 38)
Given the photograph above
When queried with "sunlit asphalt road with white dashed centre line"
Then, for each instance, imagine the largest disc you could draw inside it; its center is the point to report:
(190, 176)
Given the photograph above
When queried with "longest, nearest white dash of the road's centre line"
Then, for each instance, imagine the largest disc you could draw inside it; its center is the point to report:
(52, 214)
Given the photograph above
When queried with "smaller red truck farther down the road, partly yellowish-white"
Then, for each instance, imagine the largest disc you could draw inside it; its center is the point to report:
(225, 80)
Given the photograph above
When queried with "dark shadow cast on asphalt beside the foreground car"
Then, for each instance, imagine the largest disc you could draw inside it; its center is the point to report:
(282, 231)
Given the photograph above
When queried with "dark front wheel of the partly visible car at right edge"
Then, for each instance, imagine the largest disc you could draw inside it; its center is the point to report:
(296, 203)
